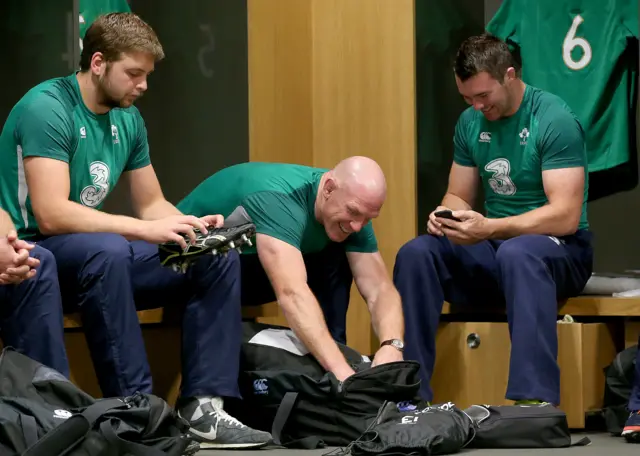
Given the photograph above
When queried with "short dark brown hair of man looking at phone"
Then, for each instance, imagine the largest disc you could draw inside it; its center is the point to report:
(484, 53)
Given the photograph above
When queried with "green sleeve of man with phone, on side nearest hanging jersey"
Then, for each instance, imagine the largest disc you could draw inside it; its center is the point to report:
(561, 142)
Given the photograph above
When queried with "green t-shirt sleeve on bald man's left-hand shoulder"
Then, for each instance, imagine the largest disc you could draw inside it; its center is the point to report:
(278, 215)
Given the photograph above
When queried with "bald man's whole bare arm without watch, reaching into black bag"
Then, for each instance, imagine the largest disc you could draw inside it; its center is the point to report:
(285, 268)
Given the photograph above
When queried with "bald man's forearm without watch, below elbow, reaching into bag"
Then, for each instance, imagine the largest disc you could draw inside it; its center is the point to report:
(306, 319)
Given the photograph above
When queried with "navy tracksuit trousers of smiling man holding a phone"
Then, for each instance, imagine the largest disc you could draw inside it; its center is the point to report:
(528, 273)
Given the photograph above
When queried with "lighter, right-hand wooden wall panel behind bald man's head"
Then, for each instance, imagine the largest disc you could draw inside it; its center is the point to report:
(363, 104)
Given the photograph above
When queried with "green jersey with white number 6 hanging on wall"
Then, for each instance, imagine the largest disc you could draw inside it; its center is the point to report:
(579, 50)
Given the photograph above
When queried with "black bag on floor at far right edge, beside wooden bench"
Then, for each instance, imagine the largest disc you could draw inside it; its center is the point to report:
(618, 384)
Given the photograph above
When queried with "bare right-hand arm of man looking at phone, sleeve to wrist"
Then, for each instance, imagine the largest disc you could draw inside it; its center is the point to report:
(564, 188)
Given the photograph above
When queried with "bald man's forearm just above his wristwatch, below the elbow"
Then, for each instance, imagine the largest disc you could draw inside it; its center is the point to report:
(386, 314)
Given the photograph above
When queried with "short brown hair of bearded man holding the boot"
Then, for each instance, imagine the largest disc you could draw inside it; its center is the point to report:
(116, 33)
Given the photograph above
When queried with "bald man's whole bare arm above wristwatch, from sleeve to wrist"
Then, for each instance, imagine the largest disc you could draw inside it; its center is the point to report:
(381, 296)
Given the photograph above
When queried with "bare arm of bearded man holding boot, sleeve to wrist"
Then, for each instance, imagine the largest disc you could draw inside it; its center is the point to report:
(49, 186)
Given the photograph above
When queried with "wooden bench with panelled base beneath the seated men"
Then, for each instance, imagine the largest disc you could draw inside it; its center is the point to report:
(463, 375)
